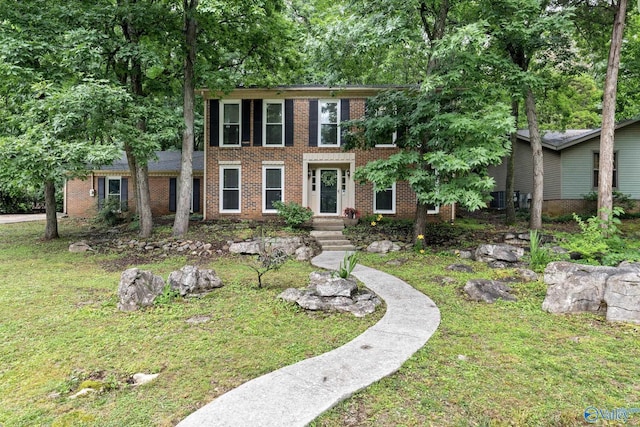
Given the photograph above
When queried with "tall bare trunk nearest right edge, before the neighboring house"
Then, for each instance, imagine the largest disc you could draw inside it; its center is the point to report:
(605, 172)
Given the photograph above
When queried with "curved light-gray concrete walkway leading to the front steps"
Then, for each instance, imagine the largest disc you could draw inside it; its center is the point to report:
(296, 394)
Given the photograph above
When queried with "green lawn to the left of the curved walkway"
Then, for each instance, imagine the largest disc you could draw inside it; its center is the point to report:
(60, 327)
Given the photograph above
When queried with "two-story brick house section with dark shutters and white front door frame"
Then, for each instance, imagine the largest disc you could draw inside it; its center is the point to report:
(265, 145)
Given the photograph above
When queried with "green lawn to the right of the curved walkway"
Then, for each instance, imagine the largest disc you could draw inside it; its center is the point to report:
(501, 364)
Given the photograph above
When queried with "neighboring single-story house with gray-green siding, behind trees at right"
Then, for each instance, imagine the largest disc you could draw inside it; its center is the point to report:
(571, 168)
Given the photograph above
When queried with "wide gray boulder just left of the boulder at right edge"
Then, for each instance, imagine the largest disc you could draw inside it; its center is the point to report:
(575, 288)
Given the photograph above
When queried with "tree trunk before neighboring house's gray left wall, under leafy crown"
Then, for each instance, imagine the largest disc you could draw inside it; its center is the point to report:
(535, 222)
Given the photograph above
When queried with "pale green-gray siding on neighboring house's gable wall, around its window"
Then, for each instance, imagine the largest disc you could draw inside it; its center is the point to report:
(577, 164)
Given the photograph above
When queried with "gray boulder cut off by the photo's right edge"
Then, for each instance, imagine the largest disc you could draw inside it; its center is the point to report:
(622, 295)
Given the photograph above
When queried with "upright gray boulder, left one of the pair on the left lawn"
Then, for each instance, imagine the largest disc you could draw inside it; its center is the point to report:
(138, 288)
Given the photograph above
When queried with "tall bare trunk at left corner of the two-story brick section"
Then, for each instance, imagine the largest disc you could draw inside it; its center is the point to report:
(185, 187)
